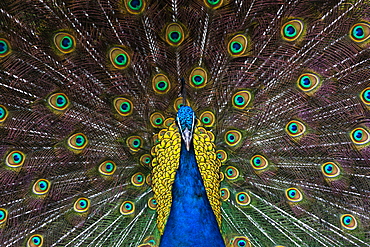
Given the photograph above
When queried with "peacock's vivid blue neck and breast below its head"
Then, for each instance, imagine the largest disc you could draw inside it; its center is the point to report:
(191, 221)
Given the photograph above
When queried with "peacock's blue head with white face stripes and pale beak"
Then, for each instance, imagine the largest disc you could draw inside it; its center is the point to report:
(186, 122)
